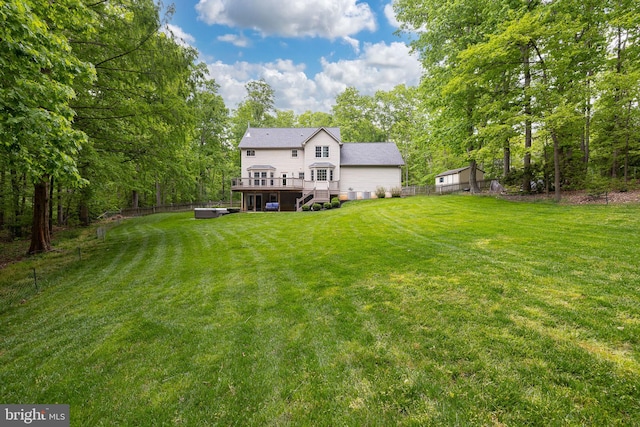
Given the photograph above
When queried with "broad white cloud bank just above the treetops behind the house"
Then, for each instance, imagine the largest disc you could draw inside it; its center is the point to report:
(380, 66)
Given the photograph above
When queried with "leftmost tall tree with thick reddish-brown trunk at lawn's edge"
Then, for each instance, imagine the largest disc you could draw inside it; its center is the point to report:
(39, 70)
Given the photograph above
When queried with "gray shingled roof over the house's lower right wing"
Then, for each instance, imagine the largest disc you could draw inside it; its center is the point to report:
(370, 154)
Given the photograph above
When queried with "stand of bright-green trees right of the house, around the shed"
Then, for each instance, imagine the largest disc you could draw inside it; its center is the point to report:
(533, 90)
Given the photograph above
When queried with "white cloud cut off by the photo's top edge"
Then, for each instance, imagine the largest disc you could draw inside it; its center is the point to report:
(292, 18)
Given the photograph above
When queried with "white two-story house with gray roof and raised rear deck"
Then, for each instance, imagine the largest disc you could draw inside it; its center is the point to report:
(298, 166)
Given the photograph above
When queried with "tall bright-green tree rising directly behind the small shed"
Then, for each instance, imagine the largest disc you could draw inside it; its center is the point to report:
(444, 31)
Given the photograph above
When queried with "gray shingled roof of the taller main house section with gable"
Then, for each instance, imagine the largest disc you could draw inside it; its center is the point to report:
(281, 137)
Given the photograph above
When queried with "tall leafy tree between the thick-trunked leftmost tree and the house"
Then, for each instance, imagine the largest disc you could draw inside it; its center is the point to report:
(135, 114)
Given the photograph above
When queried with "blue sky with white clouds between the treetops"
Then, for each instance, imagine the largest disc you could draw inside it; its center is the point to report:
(309, 51)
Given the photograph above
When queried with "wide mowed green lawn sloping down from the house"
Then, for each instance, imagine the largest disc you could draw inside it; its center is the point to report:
(450, 310)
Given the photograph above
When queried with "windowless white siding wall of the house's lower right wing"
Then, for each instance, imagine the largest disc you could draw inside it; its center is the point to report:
(368, 178)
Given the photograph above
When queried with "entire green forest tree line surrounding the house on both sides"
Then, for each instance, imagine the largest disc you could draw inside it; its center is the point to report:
(102, 109)
